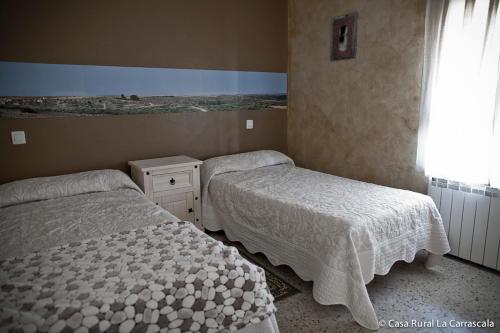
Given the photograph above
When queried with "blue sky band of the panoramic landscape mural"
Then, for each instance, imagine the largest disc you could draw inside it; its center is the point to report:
(31, 79)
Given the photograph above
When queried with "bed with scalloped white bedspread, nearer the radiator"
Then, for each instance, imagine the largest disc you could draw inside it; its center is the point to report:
(333, 231)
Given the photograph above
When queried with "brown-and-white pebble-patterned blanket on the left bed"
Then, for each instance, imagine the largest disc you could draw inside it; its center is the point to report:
(168, 277)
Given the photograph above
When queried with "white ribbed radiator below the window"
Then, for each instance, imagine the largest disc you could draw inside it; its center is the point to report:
(471, 220)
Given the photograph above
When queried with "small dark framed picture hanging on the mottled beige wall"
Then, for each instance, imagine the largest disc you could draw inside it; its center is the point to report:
(344, 37)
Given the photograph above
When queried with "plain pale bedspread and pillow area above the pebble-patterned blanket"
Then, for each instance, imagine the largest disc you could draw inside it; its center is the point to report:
(39, 213)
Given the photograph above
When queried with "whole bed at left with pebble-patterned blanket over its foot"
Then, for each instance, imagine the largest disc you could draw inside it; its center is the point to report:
(101, 256)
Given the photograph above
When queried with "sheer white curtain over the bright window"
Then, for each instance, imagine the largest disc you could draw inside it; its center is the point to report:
(459, 134)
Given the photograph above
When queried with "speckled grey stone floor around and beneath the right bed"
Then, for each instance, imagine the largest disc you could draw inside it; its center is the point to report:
(454, 290)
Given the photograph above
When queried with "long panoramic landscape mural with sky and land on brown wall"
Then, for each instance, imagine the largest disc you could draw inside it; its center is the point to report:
(30, 90)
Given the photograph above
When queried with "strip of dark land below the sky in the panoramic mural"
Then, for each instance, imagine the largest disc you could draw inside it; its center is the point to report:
(33, 107)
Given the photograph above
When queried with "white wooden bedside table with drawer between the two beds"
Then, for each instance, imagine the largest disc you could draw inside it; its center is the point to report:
(173, 183)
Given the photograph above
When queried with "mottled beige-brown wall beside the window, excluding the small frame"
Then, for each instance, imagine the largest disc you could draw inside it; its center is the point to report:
(357, 118)
